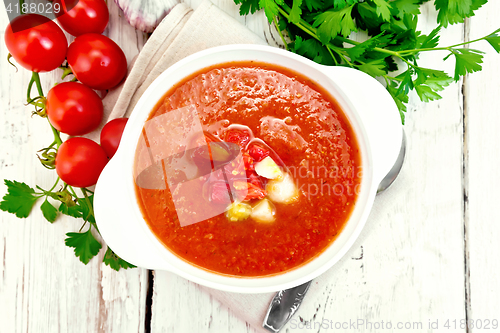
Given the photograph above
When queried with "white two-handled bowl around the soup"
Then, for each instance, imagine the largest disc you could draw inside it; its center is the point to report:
(371, 111)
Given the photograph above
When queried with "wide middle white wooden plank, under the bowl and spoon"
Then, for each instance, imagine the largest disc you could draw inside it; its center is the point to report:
(408, 264)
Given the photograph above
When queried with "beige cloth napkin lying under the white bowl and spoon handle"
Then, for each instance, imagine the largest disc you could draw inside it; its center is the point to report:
(181, 33)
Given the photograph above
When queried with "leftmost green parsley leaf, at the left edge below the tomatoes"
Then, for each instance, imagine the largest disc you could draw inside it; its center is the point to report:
(19, 199)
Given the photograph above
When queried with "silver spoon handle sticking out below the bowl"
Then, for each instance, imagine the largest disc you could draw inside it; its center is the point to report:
(283, 307)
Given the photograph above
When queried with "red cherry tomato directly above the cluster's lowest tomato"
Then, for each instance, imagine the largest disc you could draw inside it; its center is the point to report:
(73, 108)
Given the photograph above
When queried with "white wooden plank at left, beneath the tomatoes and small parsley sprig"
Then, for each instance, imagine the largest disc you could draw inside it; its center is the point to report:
(44, 288)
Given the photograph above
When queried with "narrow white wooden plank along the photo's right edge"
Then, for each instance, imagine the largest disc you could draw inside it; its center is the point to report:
(482, 182)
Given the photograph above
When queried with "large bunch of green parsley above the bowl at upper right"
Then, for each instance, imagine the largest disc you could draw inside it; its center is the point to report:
(320, 30)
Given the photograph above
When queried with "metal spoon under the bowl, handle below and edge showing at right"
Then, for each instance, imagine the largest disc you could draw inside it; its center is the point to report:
(286, 302)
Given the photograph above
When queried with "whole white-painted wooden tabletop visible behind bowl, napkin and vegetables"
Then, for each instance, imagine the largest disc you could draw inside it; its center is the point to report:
(409, 266)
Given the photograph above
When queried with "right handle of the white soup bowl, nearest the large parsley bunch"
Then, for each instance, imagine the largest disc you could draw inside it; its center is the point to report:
(378, 113)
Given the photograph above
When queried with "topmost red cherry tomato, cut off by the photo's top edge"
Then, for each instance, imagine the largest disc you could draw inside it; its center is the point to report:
(80, 17)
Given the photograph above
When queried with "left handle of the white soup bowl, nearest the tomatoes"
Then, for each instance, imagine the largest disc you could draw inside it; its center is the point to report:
(115, 220)
